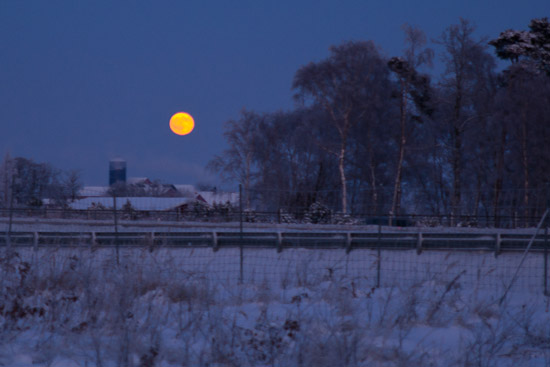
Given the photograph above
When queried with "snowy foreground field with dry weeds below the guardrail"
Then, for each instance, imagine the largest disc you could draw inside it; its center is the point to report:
(187, 307)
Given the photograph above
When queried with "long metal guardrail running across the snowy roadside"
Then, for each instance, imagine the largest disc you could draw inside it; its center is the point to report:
(280, 240)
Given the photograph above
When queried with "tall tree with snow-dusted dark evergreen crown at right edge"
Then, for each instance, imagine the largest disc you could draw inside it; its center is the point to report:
(523, 100)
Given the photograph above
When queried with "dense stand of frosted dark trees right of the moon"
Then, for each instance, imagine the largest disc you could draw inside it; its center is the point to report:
(380, 136)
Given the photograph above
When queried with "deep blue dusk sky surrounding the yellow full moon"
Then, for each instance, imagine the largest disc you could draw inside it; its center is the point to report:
(85, 81)
